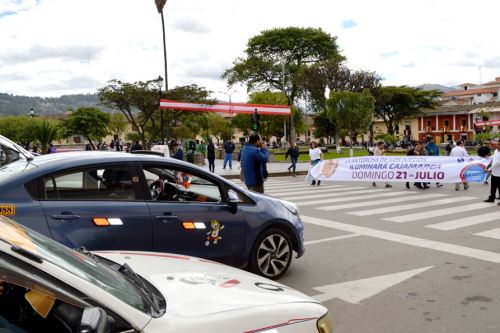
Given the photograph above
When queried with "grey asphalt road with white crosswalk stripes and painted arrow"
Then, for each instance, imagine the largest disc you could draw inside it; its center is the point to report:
(397, 260)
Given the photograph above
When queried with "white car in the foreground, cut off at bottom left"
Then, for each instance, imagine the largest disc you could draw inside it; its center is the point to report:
(48, 287)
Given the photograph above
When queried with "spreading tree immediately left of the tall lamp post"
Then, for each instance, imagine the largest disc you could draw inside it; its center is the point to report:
(137, 101)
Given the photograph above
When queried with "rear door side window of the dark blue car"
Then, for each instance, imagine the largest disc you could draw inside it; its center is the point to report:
(111, 183)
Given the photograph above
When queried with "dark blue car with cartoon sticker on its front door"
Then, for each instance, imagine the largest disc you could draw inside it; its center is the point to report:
(120, 201)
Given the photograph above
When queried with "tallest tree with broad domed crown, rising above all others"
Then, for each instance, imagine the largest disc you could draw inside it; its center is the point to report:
(268, 52)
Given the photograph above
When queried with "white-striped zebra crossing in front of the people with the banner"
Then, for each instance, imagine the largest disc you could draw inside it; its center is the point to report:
(443, 211)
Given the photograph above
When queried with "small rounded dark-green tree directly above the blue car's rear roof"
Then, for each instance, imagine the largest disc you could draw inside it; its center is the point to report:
(89, 122)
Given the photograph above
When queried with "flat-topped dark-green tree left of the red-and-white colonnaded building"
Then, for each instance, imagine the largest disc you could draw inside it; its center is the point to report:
(393, 104)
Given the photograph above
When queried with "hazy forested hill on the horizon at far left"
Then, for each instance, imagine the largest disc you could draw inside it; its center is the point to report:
(21, 105)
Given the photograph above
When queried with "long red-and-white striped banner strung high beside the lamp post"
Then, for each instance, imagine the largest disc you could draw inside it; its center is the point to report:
(278, 110)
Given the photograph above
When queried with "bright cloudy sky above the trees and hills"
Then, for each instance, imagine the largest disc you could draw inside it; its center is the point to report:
(56, 47)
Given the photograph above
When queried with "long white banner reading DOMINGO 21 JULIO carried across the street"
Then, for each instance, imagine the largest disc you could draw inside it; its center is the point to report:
(440, 169)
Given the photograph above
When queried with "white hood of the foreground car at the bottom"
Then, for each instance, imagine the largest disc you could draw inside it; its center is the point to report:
(194, 287)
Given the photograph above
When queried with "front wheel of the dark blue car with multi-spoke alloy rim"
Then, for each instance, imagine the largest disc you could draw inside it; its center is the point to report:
(271, 254)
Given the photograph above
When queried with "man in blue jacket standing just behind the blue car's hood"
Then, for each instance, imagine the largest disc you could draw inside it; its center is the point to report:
(254, 156)
